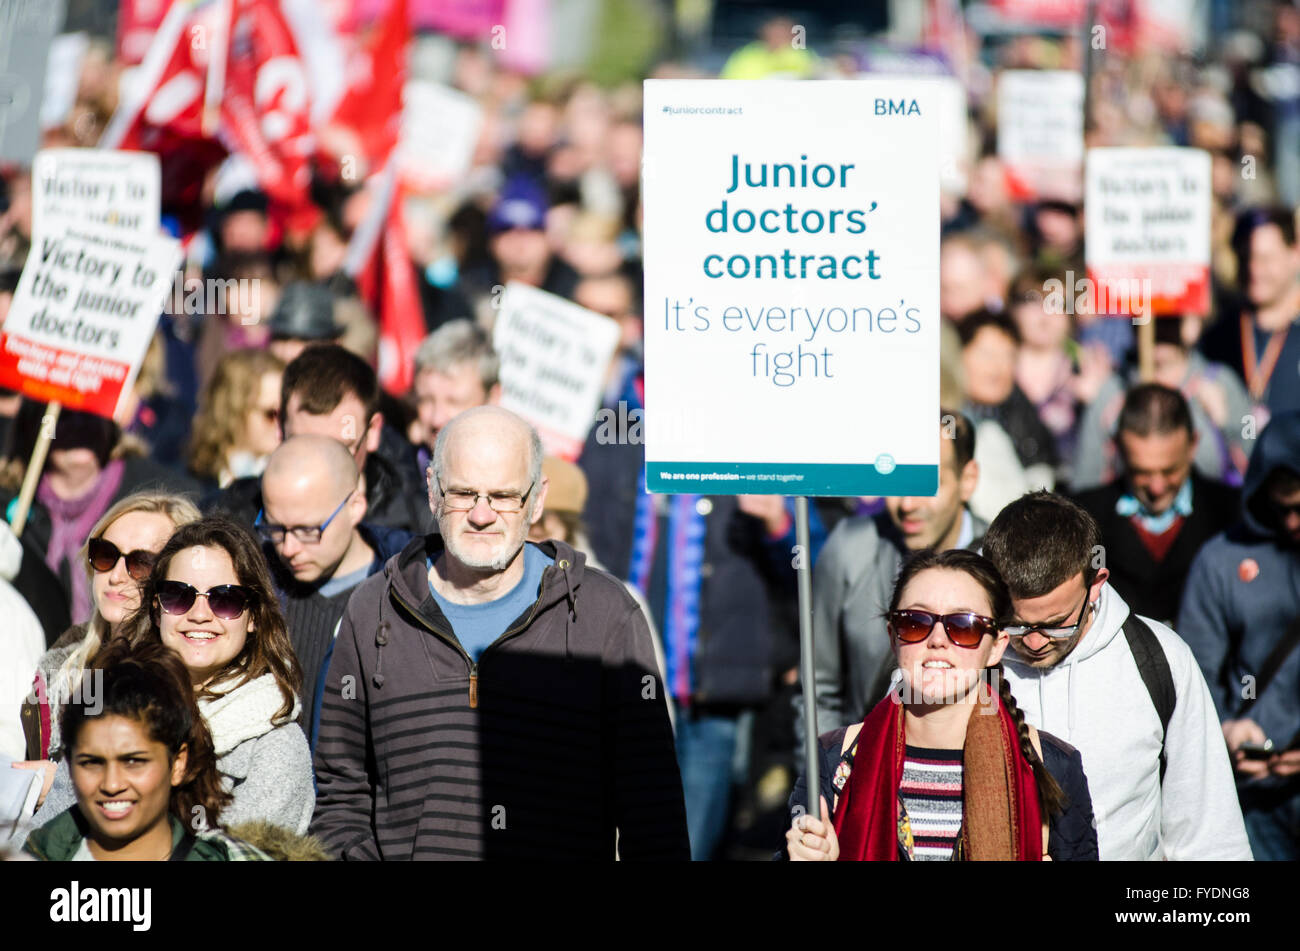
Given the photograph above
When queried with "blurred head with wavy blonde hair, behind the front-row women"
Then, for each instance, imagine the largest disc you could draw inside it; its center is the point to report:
(239, 423)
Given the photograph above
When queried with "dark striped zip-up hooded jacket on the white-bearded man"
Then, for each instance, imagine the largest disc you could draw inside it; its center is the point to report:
(554, 742)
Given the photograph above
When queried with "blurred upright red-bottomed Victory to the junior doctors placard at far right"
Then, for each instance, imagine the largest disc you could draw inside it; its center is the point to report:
(1149, 220)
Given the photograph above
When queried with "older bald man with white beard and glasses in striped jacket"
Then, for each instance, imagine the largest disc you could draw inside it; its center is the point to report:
(495, 698)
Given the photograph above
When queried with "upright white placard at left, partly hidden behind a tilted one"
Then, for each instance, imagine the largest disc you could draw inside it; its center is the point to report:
(90, 188)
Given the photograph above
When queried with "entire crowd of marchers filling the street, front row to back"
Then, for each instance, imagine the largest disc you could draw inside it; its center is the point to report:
(275, 611)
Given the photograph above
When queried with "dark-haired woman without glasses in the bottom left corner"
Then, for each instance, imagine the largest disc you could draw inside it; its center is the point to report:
(142, 766)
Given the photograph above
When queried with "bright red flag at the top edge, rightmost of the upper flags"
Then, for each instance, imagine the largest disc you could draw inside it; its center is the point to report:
(372, 106)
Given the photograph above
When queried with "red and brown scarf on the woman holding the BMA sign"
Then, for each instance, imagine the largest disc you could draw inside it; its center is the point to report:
(1002, 819)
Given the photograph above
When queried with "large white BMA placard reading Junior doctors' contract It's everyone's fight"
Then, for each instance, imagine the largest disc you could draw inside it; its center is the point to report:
(792, 288)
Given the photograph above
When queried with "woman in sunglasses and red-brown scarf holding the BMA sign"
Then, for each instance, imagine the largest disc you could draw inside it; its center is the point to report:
(946, 768)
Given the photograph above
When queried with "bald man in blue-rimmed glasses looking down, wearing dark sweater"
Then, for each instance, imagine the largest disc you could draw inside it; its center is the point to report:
(319, 549)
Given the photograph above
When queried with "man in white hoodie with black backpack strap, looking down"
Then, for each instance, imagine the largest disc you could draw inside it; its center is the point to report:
(1074, 674)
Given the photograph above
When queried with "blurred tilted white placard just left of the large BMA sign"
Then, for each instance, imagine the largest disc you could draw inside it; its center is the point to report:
(554, 358)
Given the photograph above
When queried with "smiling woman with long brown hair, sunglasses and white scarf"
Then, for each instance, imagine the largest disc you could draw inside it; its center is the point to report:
(210, 600)
